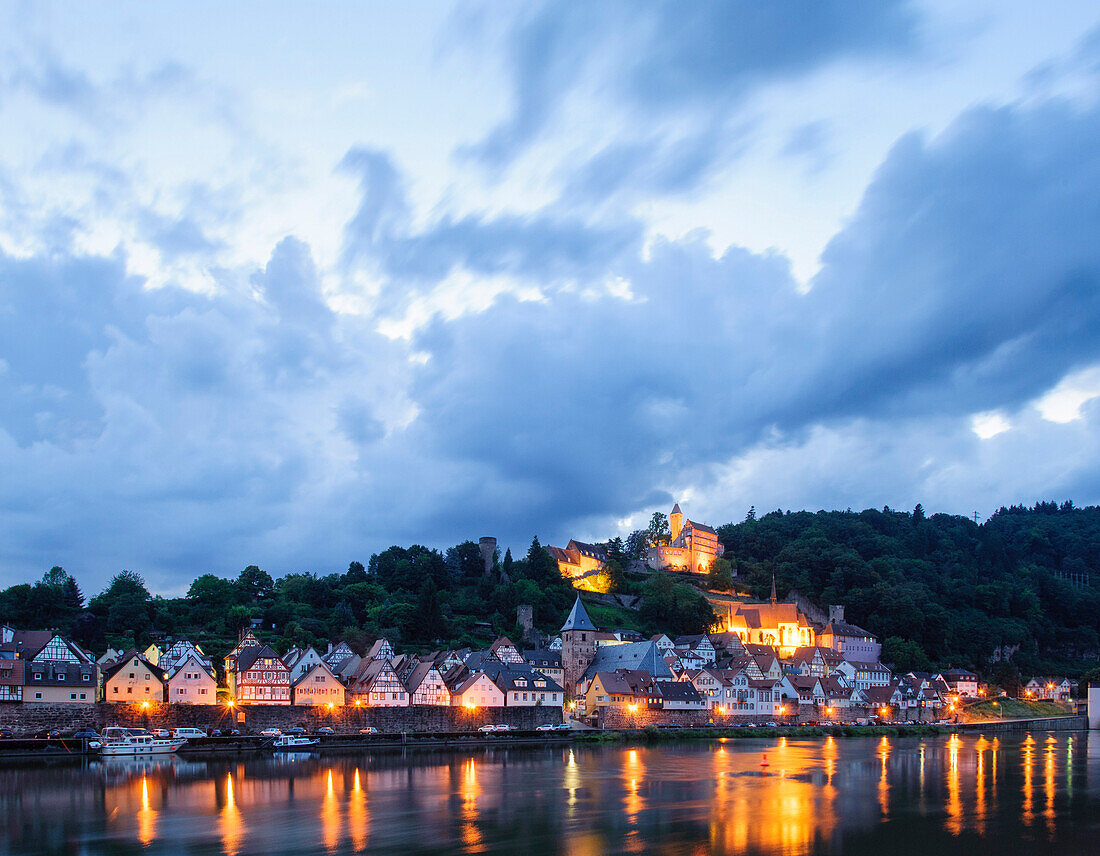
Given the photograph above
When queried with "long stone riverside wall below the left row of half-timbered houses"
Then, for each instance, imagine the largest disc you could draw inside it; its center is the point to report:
(29, 718)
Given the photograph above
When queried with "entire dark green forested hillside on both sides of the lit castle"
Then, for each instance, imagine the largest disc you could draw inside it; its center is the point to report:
(939, 590)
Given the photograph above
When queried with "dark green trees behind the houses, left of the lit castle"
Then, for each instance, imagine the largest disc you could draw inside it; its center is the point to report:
(419, 597)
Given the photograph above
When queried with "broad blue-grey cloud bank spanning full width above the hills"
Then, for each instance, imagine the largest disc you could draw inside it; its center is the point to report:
(178, 433)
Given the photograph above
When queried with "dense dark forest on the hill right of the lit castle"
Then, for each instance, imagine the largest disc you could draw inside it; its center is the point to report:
(942, 590)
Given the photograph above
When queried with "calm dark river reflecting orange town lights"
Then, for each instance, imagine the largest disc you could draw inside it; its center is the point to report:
(934, 797)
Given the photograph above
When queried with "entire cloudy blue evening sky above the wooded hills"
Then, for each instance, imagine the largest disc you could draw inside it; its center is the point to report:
(289, 284)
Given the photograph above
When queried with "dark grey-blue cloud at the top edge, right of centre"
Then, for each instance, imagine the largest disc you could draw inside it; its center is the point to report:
(679, 70)
